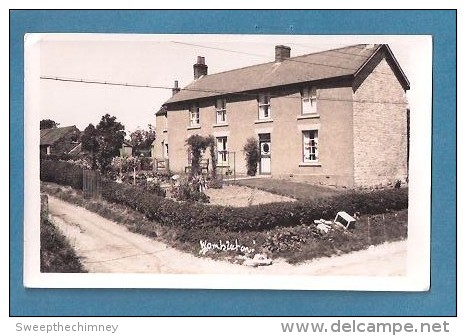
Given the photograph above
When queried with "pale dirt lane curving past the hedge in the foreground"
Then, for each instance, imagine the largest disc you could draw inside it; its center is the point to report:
(107, 247)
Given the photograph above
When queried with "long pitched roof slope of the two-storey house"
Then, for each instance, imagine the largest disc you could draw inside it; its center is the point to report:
(307, 68)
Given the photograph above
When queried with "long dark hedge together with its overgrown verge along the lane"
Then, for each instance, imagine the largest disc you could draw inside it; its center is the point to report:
(279, 230)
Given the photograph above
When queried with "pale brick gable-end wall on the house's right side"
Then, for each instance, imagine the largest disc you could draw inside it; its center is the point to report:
(380, 129)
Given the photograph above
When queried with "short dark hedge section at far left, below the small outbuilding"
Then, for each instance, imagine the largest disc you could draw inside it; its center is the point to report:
(61, 172)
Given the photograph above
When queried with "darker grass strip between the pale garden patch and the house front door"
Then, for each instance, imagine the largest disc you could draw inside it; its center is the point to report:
(297, 190)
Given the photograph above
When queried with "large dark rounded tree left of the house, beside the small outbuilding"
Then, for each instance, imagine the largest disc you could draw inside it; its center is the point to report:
(103, 141)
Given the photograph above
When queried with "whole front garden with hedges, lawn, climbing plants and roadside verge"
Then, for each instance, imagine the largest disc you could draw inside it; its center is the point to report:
(273, 218)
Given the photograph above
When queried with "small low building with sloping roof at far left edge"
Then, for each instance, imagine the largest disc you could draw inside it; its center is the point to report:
(59, 140)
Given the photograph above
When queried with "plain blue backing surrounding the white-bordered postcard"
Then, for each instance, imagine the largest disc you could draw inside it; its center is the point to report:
(439, 301)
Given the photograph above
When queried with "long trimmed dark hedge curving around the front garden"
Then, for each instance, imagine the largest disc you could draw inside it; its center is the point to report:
(253, 218)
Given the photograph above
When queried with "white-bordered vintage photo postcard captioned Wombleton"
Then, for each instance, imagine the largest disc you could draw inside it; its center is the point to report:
(228, 161)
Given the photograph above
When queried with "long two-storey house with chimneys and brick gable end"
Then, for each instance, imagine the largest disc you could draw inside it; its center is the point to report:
(337, 117)
